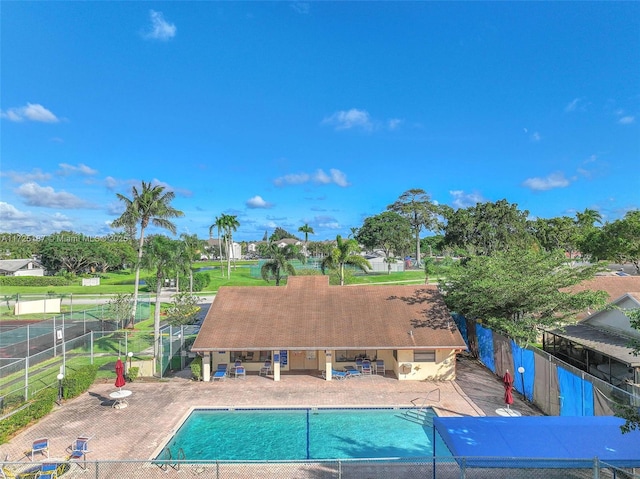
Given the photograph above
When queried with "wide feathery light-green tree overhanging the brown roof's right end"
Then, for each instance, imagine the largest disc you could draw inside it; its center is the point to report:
(518, 292)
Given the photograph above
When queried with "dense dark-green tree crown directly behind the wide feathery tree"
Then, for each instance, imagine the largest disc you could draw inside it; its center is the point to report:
(487, 228)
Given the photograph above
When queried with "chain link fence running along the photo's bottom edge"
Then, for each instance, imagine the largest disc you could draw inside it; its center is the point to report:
(410, 468)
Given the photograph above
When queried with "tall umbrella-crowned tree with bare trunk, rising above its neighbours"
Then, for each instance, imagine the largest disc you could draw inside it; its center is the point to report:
(416, 206)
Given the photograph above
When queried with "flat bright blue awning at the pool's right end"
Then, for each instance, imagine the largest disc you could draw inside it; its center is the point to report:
(518, 442)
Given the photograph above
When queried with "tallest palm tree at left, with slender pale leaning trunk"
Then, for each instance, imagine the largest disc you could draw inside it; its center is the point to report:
(149, 205)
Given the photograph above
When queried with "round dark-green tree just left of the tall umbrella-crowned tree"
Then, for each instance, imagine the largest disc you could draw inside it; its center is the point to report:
(388, 231)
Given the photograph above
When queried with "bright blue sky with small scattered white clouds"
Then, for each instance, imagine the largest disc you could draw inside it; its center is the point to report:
(286, 113)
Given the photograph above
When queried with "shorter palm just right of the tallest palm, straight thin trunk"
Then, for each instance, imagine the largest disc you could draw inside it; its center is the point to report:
(160, 255)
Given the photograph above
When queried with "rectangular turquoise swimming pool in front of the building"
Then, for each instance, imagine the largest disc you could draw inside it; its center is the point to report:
(304, 433)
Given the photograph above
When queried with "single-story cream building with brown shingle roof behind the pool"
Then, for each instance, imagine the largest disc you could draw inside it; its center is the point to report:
(309, 325)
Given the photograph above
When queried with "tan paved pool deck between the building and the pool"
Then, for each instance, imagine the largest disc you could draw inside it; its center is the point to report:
(155, 408)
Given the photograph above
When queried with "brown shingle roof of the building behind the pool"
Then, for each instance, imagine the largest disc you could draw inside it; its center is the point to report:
(307, 313)
